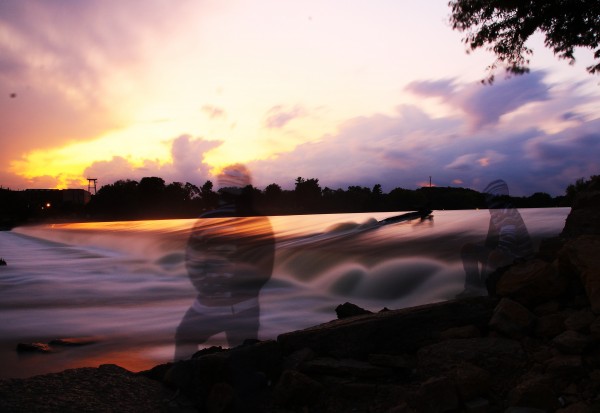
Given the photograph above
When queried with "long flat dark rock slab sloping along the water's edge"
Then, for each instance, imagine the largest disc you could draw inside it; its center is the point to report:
(391, 332)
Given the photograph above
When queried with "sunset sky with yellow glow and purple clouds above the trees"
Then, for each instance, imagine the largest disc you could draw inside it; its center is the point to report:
(350, 92)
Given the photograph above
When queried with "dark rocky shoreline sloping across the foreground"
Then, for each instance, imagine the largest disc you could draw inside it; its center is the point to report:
(532, 346)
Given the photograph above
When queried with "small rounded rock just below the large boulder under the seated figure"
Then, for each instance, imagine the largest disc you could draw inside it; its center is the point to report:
(512, 319)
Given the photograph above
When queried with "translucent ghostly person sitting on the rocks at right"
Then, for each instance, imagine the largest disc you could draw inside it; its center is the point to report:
(507, 240)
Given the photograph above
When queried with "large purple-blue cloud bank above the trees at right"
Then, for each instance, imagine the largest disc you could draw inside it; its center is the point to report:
(405, 148)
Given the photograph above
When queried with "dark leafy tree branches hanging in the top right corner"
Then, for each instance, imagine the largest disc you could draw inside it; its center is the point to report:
(503, 26)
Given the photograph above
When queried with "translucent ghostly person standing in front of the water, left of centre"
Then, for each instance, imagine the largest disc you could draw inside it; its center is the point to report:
(229, 257)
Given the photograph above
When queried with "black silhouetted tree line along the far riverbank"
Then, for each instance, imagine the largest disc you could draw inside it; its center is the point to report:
(152, 198)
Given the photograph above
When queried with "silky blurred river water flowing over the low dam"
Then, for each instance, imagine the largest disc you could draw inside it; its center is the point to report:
(124, 286)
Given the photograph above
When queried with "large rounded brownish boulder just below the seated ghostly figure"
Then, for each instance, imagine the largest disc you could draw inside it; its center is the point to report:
(531, 282)
